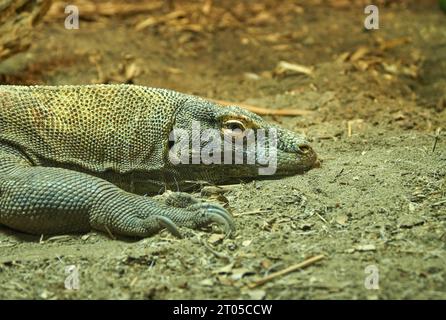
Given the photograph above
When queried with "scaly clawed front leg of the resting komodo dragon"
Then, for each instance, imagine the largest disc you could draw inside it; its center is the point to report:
(46, 200)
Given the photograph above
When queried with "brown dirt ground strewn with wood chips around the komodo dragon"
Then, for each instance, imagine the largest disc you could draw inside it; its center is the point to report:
(373, 103)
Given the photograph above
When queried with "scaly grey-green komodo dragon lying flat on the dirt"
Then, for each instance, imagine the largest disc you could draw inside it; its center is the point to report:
(76, 158)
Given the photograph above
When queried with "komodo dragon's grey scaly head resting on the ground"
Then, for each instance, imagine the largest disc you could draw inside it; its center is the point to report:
(221, 144)
